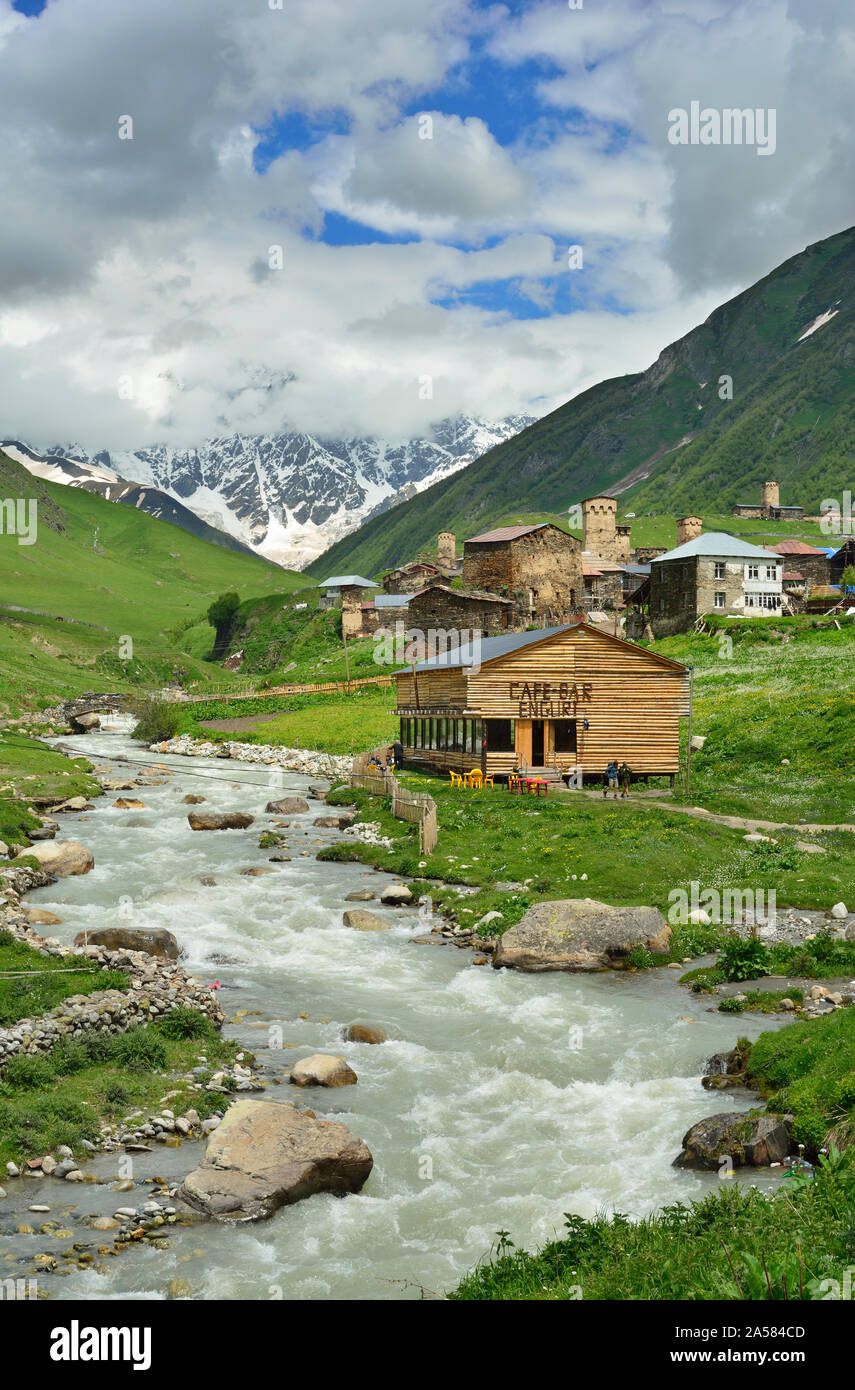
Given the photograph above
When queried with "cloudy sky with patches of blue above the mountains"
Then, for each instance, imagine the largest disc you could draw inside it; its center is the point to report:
(359, 218)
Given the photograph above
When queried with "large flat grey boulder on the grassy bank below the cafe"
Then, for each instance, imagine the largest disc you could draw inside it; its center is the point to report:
(580, 935)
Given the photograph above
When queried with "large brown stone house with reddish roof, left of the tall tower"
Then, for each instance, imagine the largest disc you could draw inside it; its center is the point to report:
(537, 566)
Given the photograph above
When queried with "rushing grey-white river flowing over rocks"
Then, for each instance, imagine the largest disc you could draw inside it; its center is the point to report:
(501, 1100)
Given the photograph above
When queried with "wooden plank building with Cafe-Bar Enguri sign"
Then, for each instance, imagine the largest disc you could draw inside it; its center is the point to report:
(550, 703)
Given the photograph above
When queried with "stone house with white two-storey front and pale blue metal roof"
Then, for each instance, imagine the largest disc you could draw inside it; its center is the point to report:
(714, 573)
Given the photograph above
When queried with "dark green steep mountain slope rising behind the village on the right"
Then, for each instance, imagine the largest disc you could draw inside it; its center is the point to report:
(665, 439)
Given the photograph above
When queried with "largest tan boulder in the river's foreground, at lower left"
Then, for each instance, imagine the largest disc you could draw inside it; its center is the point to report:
(263, 1156)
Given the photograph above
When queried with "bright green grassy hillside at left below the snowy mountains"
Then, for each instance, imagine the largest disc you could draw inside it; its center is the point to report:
(99, 573)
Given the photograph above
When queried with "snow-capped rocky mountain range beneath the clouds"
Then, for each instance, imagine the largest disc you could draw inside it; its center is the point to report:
(288, 497)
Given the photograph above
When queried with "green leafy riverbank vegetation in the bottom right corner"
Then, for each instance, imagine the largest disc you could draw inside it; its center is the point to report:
(710, 1250)
